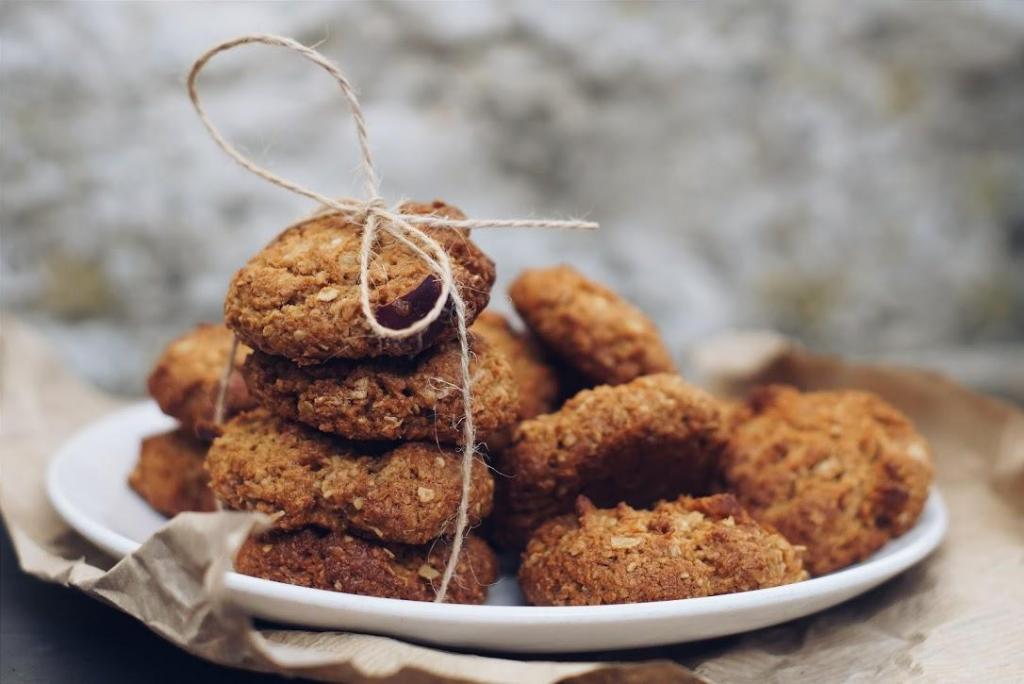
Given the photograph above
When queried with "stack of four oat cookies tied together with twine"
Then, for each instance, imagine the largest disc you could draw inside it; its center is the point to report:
(355, 450)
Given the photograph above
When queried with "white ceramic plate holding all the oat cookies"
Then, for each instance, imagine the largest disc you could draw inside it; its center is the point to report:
(88, 486)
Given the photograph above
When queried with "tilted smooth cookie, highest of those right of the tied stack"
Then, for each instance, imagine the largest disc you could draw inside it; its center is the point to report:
(587, 326)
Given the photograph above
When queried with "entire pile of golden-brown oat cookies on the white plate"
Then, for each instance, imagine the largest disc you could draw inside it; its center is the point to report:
(618, 481)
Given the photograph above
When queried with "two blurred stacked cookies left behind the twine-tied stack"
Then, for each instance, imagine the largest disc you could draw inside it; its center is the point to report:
(169, 475)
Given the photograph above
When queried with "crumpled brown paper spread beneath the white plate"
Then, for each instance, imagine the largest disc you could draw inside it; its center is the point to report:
(958, 616)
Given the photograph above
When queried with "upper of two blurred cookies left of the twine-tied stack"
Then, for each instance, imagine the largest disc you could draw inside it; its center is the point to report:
(187, 378)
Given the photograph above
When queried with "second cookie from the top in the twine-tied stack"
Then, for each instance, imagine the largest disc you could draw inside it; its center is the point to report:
(390, 399)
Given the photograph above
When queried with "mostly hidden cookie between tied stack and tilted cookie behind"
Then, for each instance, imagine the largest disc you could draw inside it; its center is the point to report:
(536, 379)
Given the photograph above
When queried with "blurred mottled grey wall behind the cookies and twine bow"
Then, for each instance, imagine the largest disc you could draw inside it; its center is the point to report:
(851, 175)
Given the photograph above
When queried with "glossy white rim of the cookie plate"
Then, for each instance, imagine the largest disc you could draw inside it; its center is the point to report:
(870, 573)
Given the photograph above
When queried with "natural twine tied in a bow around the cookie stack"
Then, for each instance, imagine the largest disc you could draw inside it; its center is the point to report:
(373, 216)
